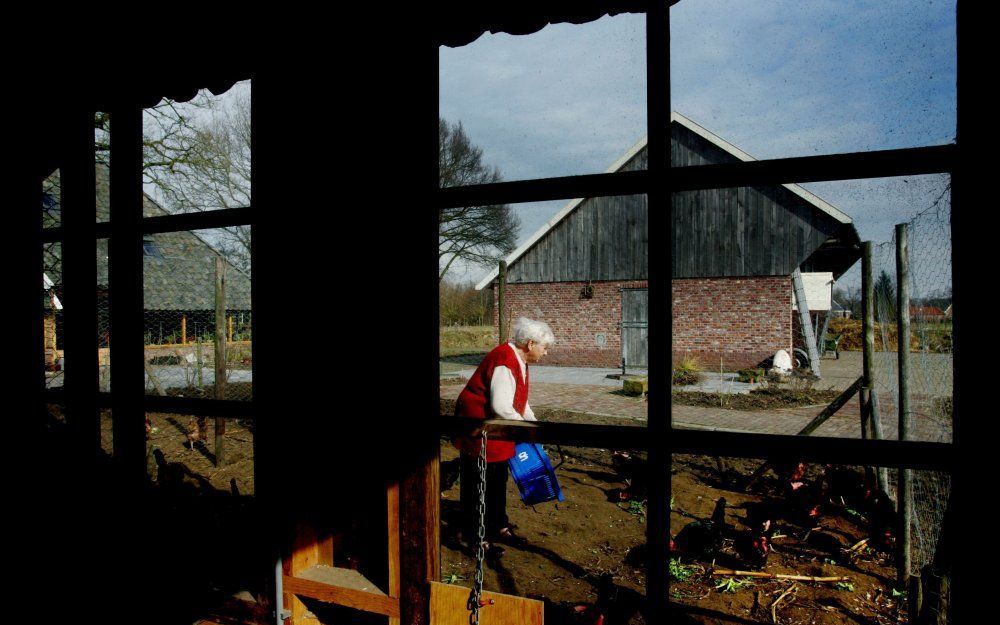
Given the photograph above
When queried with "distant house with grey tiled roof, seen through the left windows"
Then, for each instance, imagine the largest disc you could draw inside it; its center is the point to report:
(178, 275)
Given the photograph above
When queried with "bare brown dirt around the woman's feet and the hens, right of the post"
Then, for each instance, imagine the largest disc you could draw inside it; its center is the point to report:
(583, 557)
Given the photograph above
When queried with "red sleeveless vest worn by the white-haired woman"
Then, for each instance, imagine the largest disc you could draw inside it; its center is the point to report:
(474, 401)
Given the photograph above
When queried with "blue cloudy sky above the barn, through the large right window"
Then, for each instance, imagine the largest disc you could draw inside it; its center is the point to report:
(775, 78)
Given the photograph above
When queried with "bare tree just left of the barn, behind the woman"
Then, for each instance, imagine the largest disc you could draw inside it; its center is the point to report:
(480, 235)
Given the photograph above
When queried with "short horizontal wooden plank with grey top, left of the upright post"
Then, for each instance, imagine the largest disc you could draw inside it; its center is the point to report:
(344, 587)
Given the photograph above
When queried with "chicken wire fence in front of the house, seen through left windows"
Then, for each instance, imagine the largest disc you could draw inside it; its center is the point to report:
(186, 349)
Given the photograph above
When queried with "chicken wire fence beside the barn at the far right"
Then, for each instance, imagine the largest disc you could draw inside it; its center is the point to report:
(931, 358)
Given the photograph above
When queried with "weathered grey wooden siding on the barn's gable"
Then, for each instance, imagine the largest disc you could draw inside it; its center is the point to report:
(715, 232)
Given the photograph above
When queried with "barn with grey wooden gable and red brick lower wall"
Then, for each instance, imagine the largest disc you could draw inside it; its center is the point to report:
(733, 254)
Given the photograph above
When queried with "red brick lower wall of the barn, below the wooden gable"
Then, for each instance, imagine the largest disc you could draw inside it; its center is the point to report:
(740, 320)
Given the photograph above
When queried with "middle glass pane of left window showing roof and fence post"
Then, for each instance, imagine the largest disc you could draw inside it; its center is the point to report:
(185, 349)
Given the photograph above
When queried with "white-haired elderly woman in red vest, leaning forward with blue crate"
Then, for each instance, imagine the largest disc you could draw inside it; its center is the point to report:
(498, 389)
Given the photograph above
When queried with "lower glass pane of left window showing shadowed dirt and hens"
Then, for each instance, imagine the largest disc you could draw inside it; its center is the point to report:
(182, 456)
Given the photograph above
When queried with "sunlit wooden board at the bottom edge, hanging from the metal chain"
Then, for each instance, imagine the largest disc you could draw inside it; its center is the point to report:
(448, 607)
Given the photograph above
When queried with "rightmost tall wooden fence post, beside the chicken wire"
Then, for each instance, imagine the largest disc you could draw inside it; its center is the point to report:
(903, 353)
